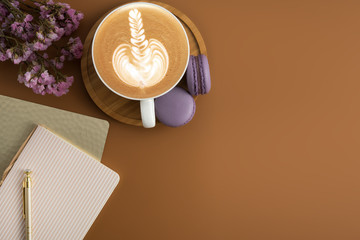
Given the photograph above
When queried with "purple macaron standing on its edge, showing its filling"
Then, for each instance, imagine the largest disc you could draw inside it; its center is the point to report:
(198, 75)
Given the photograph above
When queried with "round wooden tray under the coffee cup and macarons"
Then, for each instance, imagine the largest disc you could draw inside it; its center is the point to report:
(122, 109)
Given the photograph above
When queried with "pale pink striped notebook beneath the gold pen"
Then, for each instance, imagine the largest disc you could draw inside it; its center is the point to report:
(69, 190)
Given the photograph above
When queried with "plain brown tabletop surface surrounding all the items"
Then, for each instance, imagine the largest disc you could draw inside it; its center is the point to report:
(272, 152)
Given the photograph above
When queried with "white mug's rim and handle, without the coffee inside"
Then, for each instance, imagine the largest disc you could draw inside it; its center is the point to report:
(147, 106)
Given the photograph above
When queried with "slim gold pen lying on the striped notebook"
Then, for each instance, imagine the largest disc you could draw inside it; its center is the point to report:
(27, 203)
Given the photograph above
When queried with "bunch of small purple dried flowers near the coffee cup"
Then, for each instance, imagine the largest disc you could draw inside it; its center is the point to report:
(28, 29)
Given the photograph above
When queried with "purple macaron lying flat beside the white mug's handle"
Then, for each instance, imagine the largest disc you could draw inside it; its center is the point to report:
(176, 108)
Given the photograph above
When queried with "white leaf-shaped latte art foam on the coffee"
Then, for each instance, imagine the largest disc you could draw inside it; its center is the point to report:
(142, 63)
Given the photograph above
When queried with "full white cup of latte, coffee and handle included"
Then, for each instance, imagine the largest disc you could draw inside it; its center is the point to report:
(140, 51)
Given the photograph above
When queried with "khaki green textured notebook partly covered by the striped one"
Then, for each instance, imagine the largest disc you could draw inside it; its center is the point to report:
(18, 118)
